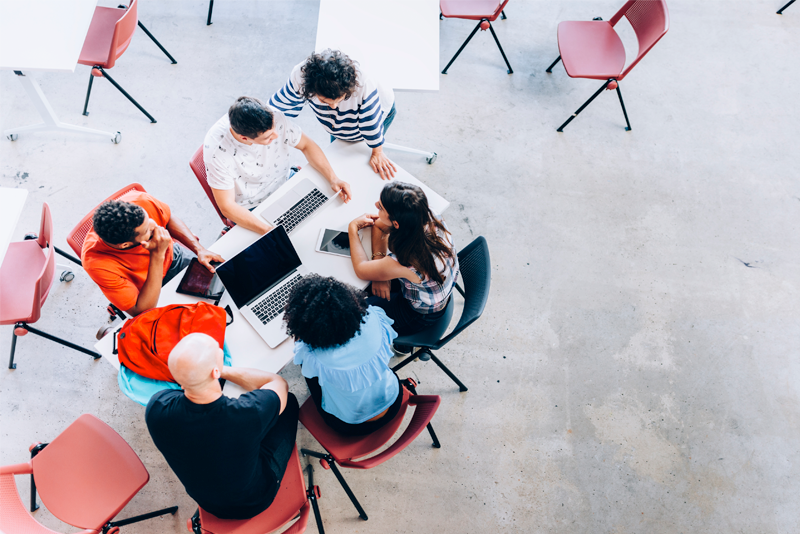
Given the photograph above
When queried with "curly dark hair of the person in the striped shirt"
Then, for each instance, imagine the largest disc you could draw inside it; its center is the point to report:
(329, 74)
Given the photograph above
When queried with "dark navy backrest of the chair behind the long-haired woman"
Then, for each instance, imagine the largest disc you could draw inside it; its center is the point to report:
(476, 274)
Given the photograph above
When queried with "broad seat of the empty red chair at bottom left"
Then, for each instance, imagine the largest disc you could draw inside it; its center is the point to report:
(88, 473)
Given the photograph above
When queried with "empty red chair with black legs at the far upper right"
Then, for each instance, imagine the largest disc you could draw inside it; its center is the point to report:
(592, 49)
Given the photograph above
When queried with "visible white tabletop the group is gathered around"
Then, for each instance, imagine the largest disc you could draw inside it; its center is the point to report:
(350, 162)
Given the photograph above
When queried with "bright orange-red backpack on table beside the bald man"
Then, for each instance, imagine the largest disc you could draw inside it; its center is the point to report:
(144, 343)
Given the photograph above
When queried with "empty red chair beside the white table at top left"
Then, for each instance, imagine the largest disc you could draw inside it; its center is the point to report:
(109, 35)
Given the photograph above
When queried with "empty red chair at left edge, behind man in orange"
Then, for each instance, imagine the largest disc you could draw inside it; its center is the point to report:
(26, 277)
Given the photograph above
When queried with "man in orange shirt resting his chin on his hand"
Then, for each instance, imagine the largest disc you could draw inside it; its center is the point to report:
(135, 248)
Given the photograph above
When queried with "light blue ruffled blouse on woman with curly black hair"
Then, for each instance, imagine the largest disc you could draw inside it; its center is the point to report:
(356, 381)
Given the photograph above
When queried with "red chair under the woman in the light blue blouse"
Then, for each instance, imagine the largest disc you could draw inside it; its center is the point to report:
(343, 449)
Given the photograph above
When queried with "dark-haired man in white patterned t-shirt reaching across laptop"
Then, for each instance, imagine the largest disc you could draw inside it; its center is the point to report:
(247, 154)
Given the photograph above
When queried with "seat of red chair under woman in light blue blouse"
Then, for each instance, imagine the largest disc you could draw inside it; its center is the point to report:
(349, 447)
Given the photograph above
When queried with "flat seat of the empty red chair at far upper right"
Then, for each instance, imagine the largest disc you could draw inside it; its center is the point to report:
(591, 49)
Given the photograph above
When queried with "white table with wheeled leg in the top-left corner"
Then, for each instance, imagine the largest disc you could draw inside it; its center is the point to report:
(44, 35)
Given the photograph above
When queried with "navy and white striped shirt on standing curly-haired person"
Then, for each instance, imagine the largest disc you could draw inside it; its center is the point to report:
(358, 117)
